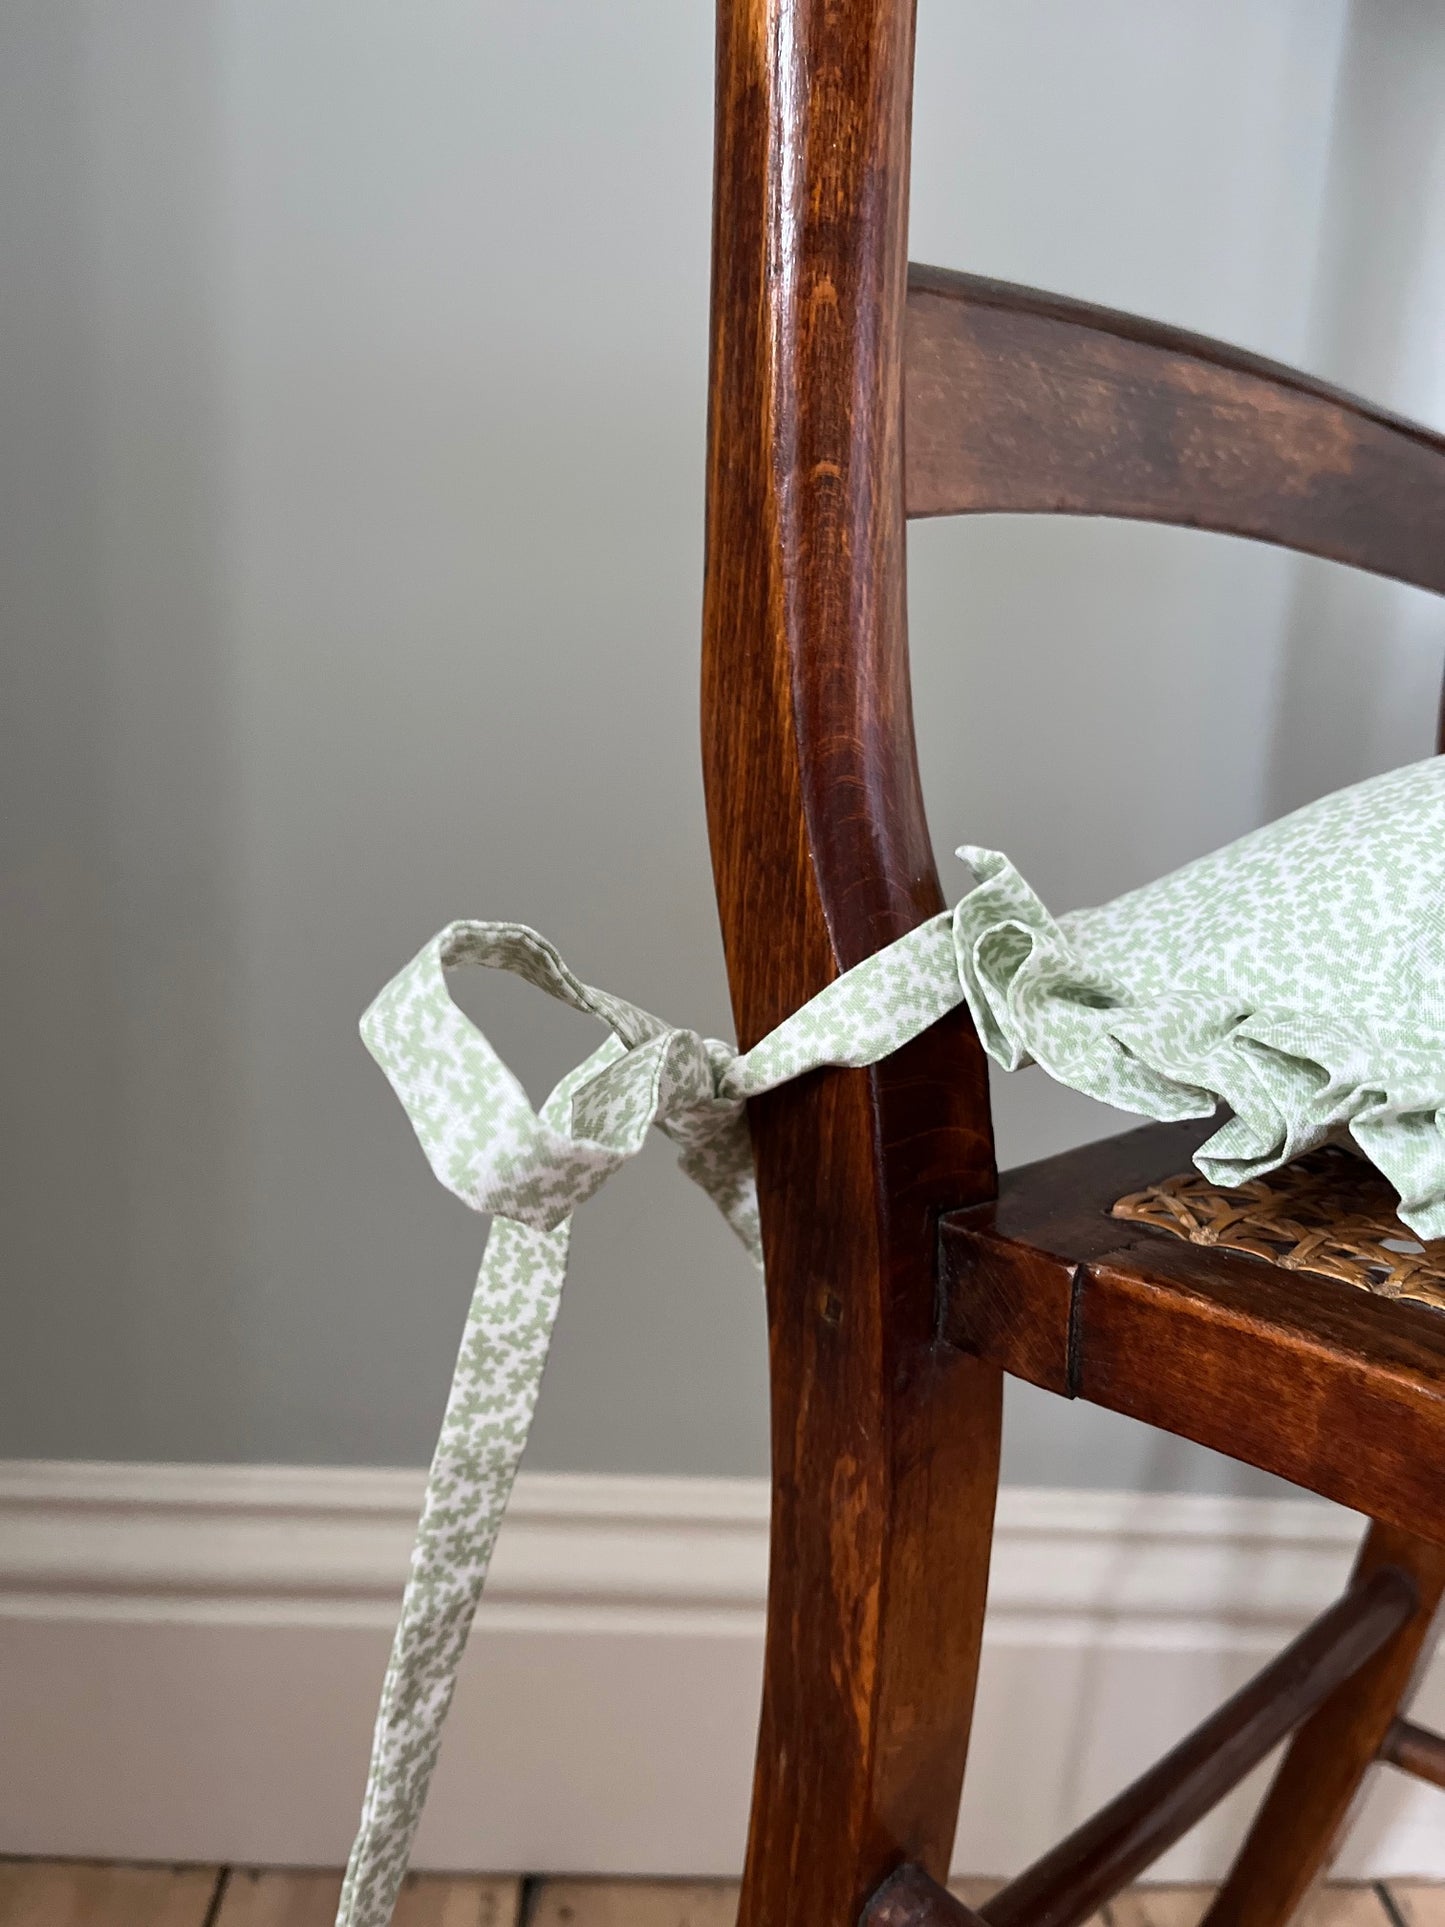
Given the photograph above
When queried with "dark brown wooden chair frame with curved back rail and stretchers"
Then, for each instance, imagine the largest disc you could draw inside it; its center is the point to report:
(905, 1280)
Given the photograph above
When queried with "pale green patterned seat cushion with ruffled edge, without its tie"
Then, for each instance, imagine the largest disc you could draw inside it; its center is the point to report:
(1296, 978)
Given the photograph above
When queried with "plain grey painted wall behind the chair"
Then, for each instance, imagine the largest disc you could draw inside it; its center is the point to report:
(352, 365)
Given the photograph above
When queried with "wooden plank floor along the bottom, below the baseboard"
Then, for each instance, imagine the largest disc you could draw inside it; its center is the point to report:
(47, 1893)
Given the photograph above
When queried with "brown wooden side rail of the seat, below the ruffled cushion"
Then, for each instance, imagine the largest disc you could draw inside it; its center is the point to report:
(1313, 1381)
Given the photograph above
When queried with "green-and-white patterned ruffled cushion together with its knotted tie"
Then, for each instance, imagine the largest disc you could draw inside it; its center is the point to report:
(1296, 978)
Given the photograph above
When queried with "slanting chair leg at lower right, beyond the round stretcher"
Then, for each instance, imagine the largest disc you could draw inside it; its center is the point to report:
(1317, 1787)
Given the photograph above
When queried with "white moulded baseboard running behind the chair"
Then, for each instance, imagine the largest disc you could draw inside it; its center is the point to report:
(190, 1660)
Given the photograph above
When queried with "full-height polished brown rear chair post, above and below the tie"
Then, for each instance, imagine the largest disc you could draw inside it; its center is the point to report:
(885, 1446)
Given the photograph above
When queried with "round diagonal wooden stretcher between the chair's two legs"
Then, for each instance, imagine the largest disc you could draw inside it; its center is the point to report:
(1130, 1834)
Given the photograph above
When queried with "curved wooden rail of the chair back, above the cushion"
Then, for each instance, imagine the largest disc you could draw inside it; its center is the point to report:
(1034, 404)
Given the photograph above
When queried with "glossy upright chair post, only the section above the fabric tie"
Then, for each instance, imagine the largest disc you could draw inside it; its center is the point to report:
(808, 729)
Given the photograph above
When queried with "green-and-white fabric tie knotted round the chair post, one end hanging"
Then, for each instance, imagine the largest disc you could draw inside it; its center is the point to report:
(533, 1171)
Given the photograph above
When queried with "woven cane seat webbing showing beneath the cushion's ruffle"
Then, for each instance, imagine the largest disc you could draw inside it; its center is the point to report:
(1328, 1213)
